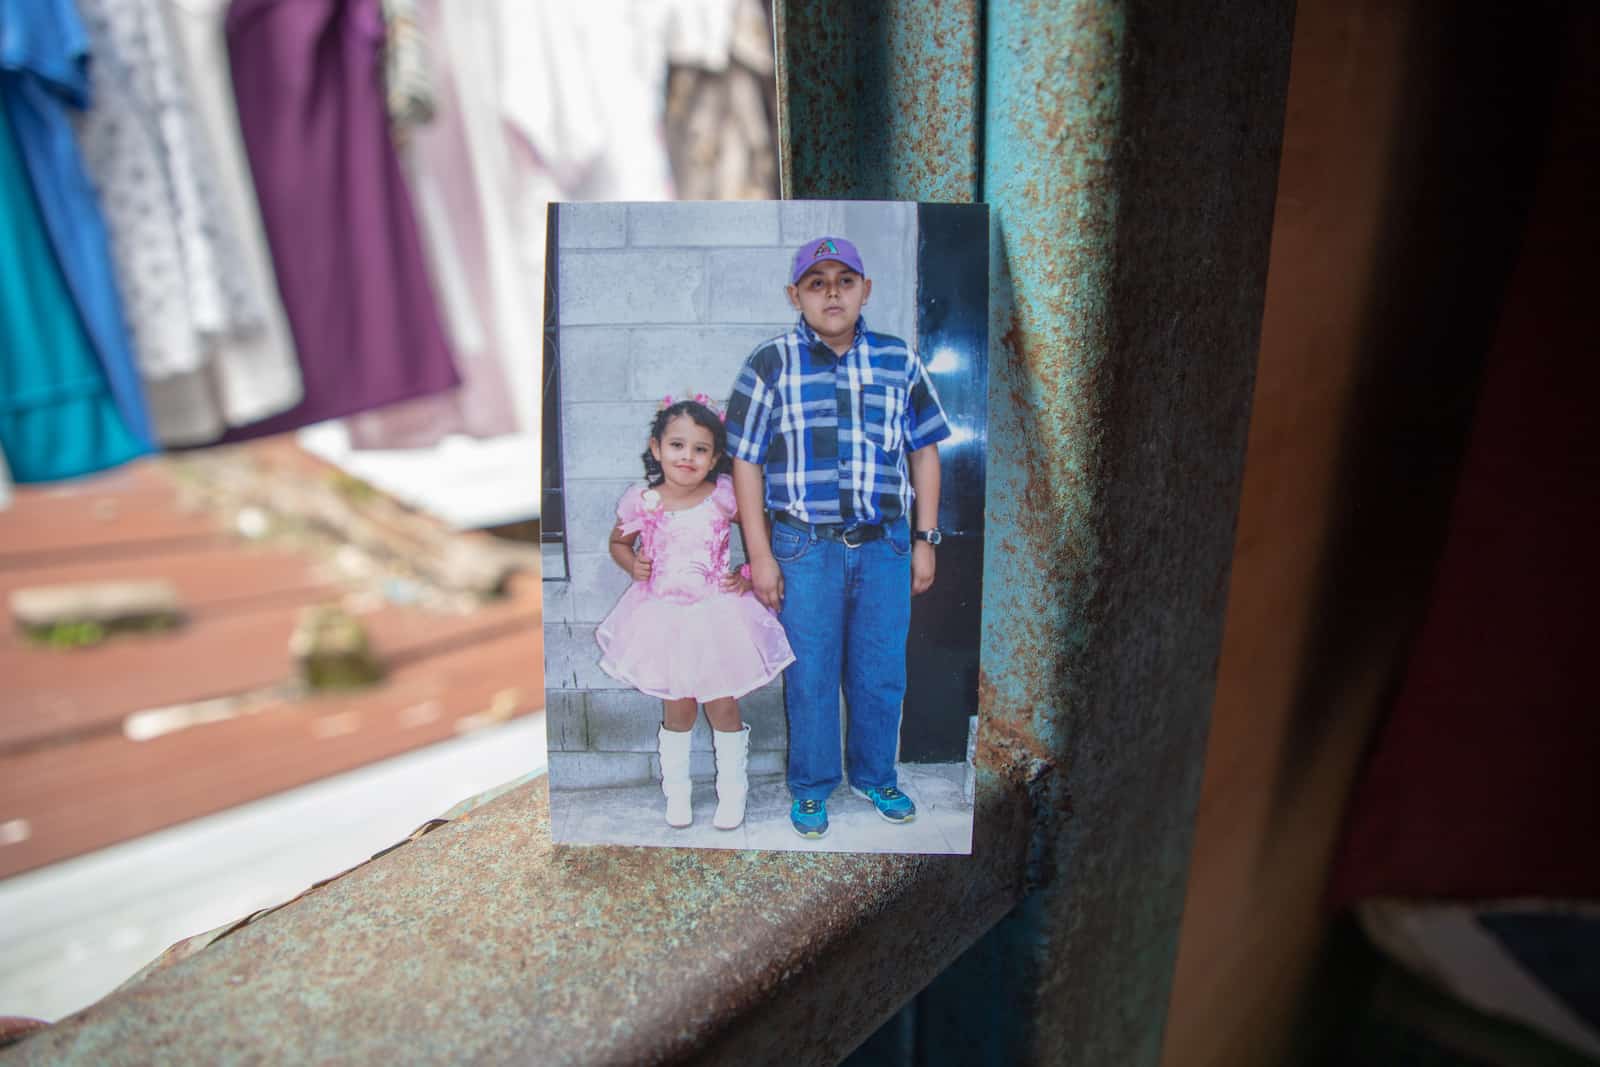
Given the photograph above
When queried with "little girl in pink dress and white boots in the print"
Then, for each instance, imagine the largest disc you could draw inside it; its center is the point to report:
(689, 631)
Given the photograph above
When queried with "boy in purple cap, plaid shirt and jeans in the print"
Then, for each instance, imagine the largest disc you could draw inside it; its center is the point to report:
(834, 434)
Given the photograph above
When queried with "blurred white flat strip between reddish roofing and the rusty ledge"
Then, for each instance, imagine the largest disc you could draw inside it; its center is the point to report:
(73, 932)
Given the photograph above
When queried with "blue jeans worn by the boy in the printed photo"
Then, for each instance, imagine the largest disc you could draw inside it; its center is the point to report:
(847, 613)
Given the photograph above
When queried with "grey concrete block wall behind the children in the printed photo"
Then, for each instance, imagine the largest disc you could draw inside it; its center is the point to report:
(654, 300)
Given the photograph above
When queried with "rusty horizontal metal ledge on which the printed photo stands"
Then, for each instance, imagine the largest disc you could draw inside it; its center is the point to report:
(486, 943)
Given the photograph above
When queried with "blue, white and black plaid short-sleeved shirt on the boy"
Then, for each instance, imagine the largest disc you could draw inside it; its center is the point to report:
(833, 431)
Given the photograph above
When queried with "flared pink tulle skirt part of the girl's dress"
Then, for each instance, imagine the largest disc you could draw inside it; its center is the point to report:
(724, 645)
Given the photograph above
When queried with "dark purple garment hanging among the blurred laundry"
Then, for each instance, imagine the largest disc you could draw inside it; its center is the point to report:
(308, 76)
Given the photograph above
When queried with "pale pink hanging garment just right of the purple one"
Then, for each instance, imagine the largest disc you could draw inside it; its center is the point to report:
(492, 319)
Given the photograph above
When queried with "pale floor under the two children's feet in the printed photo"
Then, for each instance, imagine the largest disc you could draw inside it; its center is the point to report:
(636, 817)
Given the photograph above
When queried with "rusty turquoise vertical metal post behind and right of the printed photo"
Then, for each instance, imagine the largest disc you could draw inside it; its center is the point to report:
(1129, 154)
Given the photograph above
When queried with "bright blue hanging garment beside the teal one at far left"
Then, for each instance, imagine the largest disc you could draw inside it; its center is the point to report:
(44, 58)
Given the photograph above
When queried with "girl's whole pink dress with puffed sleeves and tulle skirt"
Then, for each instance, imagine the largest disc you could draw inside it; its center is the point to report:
(679, 634)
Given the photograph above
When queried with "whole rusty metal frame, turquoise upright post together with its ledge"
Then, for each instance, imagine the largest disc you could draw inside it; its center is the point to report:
(1129, 154)
